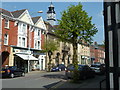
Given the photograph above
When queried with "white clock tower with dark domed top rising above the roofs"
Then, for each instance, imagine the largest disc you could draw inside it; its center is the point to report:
(51, 15)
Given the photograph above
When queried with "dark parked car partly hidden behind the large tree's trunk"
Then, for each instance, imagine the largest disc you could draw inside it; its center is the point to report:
(84, 70)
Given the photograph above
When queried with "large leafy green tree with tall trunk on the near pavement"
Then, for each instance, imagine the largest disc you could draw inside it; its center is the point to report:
(75, 26)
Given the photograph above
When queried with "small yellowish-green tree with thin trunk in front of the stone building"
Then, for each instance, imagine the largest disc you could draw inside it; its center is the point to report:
(50, 46)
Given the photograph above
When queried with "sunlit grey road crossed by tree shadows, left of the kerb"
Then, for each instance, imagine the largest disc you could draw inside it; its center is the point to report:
(34, 80)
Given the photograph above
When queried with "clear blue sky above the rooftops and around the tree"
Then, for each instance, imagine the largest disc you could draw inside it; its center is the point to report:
(93, 9)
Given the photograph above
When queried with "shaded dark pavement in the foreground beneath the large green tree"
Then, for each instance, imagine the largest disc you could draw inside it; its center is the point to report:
(89, 84)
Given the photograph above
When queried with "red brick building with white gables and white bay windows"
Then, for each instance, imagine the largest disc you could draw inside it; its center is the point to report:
(21, 39)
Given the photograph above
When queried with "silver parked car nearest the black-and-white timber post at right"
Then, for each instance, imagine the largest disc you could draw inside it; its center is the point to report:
(98, 68)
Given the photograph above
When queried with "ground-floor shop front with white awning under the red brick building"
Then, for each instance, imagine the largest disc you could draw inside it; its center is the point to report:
(24, 59)
